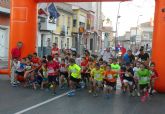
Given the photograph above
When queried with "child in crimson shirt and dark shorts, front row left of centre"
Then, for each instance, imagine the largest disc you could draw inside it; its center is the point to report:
(52, 69)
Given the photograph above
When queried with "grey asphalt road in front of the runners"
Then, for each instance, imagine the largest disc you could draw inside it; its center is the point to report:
(15, 99)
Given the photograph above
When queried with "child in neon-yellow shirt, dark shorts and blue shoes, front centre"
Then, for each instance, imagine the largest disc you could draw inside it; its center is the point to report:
(74, 72)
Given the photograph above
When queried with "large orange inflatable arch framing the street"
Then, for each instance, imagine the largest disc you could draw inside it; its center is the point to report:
(23, 27)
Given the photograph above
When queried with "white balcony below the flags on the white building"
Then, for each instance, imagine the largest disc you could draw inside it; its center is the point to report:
(47, 24)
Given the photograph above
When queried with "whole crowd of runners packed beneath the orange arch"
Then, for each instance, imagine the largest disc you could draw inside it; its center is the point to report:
(98, 74)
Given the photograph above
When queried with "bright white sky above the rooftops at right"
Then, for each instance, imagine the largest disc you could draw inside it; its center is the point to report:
(129, 12)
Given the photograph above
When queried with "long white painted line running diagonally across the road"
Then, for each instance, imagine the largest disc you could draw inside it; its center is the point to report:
(40, 104)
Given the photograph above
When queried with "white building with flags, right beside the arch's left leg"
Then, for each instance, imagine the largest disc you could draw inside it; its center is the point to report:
(46, 28)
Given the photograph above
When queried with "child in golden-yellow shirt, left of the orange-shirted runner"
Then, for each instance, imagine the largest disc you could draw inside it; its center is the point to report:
(97, 74)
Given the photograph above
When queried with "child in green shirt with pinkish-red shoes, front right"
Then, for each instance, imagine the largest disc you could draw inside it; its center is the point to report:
(144, 80)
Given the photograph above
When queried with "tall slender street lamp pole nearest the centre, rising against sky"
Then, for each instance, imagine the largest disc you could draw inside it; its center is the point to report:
(116, 35)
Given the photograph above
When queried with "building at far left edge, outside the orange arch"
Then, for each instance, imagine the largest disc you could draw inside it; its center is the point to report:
(4, 28)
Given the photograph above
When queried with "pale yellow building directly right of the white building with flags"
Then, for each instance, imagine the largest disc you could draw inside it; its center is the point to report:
(64, 24)
